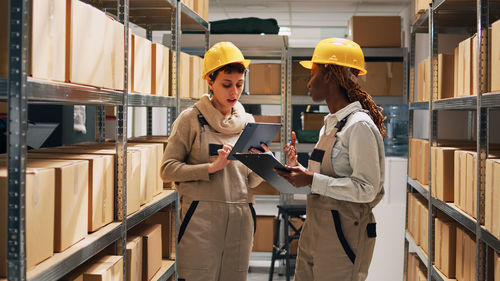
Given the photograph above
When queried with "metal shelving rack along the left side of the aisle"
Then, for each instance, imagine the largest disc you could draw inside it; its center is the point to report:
(19, 90)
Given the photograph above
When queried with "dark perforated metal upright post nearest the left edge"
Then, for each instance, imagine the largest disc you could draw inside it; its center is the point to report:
(16, 138)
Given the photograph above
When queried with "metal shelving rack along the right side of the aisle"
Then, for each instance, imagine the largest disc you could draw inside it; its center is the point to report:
(457, 18)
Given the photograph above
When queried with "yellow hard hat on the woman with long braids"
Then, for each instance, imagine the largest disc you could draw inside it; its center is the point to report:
(338, 51)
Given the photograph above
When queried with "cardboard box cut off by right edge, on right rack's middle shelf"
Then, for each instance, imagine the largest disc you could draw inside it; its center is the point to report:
(492, 197)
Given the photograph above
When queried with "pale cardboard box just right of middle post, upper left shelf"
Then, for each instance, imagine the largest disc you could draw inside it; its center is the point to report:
(141, 65)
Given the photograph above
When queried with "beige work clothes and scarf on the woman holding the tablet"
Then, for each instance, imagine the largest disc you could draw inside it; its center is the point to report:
(218, 220)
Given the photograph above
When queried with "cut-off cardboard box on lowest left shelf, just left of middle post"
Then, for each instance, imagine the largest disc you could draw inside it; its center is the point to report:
(108, 268)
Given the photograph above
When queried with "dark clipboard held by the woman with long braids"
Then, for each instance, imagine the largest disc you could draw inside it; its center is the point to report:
(264, 165)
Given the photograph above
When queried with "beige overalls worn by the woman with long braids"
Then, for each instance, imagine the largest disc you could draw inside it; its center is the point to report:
(338, 237)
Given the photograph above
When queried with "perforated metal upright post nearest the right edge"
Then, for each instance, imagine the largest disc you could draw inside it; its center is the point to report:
(482, 132)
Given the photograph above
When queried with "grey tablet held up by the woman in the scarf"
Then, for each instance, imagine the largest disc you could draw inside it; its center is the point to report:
(253, 135)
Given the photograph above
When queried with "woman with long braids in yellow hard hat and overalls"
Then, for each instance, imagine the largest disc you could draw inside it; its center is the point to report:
(345, 170)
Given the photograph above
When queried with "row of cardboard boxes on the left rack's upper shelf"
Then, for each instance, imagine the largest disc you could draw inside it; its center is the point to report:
(89, 50)
